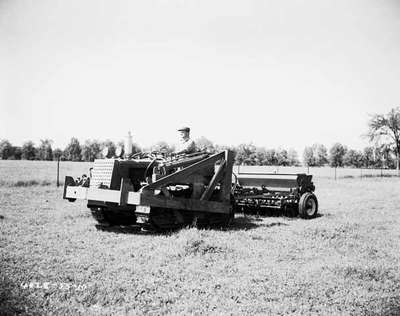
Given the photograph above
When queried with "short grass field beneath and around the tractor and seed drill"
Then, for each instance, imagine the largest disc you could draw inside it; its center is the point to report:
(54, 260)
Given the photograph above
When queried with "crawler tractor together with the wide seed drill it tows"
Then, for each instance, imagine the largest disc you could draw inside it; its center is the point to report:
(199, 189)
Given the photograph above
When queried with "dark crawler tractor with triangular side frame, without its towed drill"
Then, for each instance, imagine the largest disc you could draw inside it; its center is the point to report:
(157, 193)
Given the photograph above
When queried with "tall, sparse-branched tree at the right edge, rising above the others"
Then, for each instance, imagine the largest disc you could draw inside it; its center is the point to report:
(386, 128)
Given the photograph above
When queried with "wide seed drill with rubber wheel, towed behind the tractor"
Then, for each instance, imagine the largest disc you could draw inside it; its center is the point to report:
(286, 192)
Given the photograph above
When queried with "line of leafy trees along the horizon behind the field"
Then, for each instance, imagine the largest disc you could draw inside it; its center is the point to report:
(383, 133)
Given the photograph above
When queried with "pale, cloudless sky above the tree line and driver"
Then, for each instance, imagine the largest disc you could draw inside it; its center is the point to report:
(275, 73)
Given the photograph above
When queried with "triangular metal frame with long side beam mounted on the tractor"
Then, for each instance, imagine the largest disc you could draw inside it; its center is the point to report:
(149, 195)
